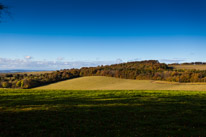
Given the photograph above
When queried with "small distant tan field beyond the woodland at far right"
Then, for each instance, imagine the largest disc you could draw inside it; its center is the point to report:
(198, 67)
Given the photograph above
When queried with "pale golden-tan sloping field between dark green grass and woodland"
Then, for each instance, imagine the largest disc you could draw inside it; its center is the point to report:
(109, 83)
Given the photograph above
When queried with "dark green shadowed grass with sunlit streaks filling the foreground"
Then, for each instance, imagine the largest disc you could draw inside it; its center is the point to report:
(102, 113)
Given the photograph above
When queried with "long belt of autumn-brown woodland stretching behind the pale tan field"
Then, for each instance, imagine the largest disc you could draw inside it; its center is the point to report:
(142, 70)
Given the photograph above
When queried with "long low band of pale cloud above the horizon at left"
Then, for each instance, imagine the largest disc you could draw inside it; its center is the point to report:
(6, 63)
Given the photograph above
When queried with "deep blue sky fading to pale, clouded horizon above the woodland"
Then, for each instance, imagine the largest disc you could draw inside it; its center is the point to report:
(59, 34)
